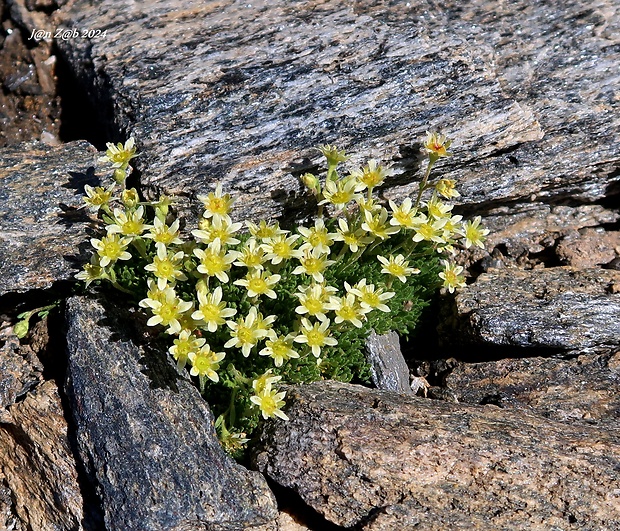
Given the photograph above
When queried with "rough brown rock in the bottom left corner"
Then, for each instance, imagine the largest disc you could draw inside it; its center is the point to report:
(38, 473)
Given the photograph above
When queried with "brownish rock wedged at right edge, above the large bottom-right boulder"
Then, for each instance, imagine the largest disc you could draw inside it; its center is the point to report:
(583, 388)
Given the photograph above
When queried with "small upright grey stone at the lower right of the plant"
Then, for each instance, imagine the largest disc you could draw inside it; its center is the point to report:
(388, 368)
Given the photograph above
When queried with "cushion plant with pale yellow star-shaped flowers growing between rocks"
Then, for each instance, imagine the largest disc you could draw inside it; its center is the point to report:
(250, 306)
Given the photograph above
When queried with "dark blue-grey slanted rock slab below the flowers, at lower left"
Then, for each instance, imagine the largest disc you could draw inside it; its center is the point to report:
(146, 436)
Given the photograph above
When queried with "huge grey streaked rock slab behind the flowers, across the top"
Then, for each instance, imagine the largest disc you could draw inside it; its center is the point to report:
(240, 92)
